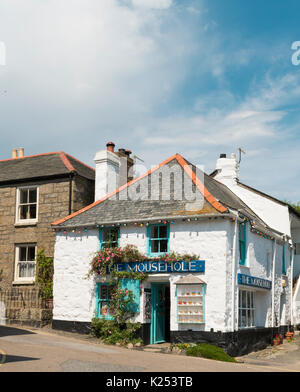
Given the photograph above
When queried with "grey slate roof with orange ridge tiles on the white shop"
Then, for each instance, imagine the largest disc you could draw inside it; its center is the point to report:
(217, 201)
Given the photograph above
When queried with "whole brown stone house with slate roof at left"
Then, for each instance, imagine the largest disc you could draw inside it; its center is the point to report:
(34, 190)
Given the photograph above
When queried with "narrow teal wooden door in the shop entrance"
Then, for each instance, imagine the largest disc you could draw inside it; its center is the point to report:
(158, 308)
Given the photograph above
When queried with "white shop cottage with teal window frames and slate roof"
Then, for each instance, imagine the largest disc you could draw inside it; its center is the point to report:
(238, 291)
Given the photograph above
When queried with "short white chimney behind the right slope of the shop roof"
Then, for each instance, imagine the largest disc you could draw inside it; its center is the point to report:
(227, 169)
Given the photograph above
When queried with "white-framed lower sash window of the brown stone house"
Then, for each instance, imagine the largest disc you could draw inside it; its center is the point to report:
(25, 263)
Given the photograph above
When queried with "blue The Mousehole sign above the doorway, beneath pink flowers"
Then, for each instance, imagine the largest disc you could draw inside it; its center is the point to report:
(158, 267)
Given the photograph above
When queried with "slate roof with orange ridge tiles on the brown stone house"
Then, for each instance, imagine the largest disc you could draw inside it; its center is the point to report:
(43, 165)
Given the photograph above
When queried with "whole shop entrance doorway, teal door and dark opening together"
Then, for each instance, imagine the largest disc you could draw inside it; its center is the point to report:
(160, 313)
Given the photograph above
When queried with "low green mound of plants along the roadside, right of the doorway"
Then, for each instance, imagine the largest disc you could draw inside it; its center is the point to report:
(205, 350)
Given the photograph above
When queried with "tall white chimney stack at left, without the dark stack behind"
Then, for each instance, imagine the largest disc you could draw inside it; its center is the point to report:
(107, 171)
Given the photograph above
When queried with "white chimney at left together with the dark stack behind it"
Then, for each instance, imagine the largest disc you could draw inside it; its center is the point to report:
(113, 169)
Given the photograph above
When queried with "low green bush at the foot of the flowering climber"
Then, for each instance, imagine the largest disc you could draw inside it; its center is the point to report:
(111, 332)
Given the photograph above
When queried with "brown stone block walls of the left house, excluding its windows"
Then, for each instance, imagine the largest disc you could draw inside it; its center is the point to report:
(53, 204)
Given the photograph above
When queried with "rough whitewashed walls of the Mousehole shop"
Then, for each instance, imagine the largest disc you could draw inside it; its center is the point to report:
(212, 240)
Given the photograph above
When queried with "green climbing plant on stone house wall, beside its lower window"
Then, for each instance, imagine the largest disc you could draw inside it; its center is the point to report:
(44, 276)
